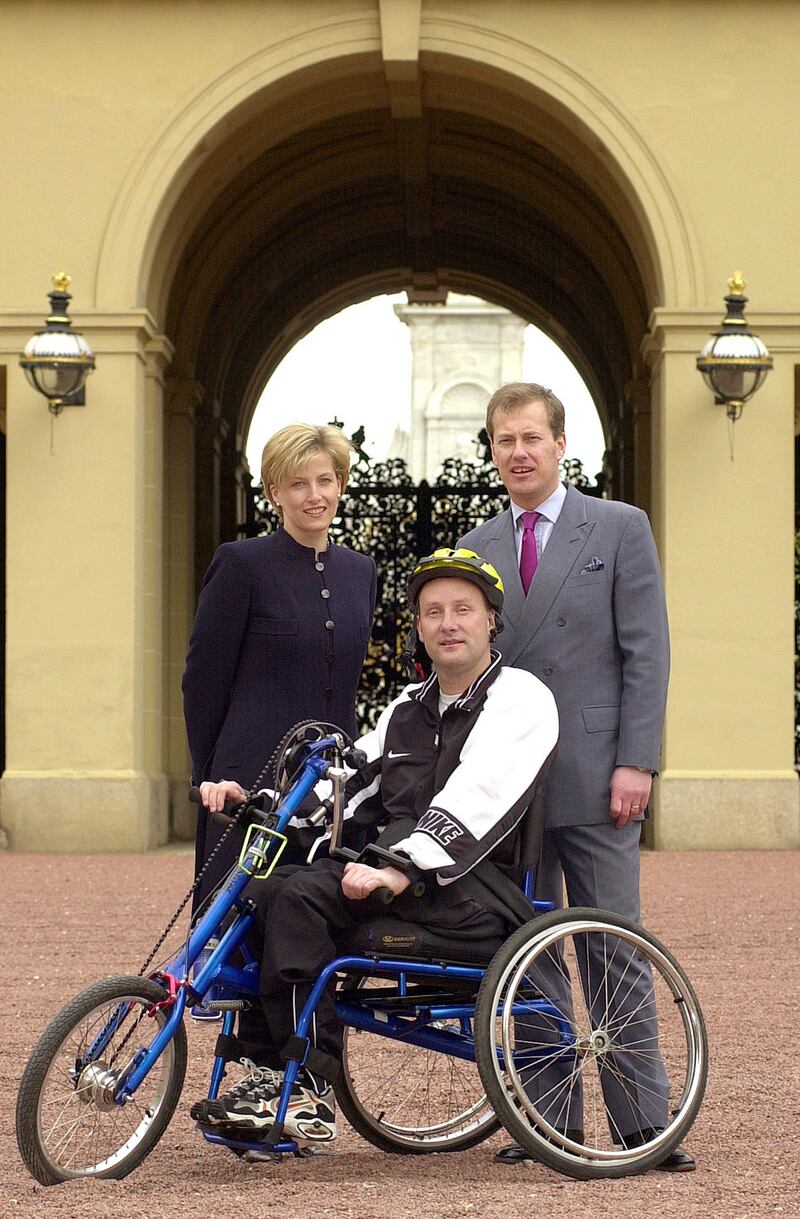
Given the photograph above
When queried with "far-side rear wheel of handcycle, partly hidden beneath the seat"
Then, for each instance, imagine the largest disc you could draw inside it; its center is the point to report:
(412, 1101)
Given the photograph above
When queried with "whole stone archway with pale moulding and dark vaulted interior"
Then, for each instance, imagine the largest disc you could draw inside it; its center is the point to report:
(341, 164)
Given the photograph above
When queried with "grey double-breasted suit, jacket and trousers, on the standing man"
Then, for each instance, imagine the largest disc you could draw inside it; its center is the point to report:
(595, 630)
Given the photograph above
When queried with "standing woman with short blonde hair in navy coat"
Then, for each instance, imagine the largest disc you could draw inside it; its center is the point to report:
(282, 627)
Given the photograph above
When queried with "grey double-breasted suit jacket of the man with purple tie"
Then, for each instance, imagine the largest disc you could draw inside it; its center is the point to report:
(595, 630)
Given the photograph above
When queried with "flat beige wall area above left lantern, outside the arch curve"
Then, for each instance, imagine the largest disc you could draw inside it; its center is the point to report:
(86, 97)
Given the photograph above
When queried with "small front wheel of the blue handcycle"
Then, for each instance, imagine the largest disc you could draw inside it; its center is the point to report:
(68, 1123)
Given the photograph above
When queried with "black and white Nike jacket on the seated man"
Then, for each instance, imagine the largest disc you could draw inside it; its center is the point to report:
(466, 777)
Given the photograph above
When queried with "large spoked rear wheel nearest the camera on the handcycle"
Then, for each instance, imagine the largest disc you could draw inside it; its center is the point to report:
(552, 1065)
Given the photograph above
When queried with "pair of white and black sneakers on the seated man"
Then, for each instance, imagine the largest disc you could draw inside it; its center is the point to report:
(252, 1106)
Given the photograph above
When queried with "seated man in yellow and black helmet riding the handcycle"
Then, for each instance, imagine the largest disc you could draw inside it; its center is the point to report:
(451, 773)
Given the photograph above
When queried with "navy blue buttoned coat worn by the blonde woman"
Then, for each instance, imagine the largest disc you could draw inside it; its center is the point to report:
(277, 638)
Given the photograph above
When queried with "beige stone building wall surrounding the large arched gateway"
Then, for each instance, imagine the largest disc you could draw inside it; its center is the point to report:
(125, 127)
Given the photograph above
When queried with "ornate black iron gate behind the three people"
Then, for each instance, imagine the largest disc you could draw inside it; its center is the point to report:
(385, 514)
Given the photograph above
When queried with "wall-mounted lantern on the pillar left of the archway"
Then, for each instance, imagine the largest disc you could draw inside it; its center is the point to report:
(58, 360)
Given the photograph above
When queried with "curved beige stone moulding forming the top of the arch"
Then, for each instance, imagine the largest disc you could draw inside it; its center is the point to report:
(299, 84)
